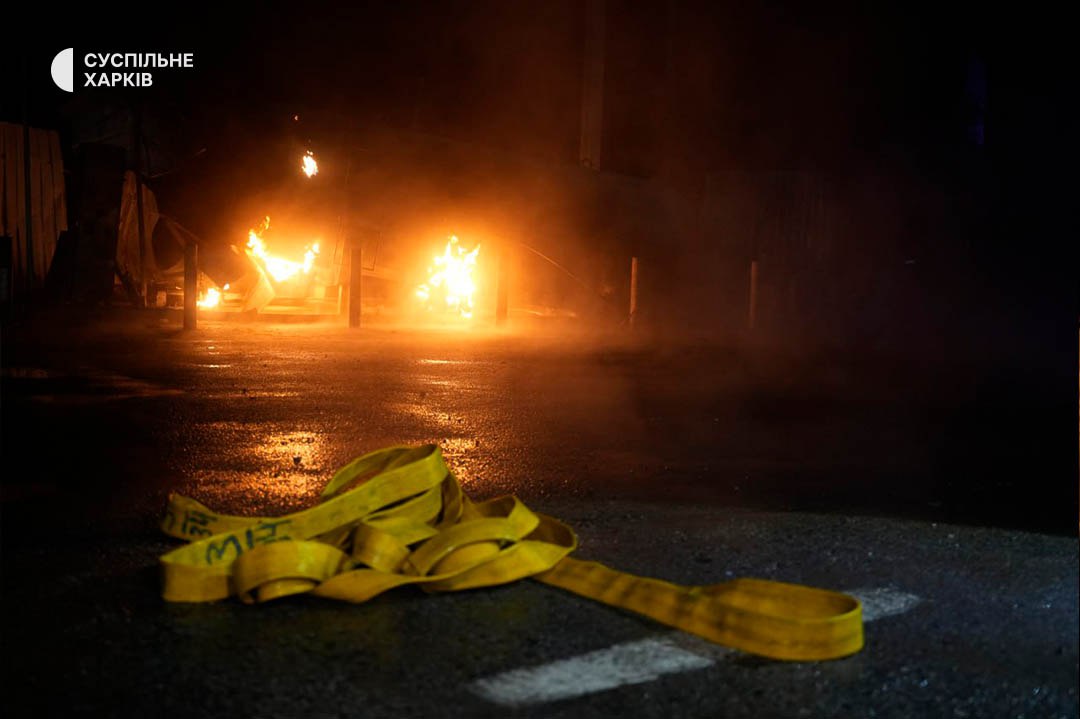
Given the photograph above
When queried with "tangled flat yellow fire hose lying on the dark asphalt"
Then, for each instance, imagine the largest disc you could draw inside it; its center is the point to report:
(399, 517)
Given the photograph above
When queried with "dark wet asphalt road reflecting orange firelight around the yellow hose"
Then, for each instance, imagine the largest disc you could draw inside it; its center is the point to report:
(690, 463)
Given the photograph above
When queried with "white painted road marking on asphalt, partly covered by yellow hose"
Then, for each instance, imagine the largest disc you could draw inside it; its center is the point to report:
(642, 661)
